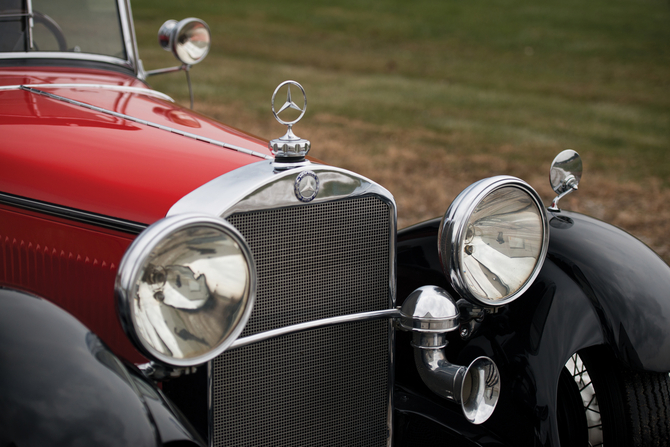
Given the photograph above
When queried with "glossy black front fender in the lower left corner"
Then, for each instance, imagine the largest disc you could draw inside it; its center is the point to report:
(61, 386)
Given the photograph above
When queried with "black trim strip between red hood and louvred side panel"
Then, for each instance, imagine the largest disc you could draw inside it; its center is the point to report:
(99, 220)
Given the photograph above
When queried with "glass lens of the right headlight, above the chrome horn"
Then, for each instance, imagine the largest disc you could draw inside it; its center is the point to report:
(502, 244)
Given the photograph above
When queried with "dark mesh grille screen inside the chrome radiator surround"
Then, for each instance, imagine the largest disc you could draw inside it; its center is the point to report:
(326, 386)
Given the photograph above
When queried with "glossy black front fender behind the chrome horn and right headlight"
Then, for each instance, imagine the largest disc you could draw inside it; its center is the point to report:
(598, 286)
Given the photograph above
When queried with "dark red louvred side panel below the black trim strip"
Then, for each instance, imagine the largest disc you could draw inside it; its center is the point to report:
(73, 265)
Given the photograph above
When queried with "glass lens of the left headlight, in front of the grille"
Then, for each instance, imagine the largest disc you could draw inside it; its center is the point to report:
(193, 293)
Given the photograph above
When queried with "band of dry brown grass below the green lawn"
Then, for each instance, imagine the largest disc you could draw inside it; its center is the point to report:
(425, 171)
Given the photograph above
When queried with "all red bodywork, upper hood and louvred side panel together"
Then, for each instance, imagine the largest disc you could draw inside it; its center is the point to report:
(67, 155)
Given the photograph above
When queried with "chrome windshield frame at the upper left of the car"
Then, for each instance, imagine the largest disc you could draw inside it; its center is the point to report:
(132, 61)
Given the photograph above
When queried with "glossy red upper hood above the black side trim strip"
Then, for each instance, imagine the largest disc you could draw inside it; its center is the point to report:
(69, 155)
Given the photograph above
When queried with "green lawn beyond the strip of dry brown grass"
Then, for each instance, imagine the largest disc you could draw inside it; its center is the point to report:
(593, 76)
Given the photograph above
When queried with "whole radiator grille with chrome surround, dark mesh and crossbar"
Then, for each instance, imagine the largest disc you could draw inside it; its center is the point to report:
(317, 368)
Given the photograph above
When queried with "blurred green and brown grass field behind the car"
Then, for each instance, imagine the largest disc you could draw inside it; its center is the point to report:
(426, 97)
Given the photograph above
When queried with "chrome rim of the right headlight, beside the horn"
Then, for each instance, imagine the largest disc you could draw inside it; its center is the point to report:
(454, 225)
